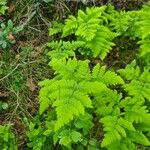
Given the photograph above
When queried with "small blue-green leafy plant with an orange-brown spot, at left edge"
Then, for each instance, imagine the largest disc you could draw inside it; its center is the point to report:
(5, 32)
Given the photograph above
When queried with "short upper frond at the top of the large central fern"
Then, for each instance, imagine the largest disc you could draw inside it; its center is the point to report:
(71, 69)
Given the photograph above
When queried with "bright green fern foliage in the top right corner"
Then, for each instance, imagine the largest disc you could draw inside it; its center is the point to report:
(135, 25)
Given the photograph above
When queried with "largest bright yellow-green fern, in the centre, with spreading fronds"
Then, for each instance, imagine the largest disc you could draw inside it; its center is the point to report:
(69, 93)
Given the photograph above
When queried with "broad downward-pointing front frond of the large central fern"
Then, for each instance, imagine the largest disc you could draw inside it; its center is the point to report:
(69, 99)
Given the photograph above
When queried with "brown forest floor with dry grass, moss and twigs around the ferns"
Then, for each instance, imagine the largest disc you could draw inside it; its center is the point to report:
(24, 64)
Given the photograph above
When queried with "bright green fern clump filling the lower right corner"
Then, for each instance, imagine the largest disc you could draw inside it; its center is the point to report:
(124, 128)
